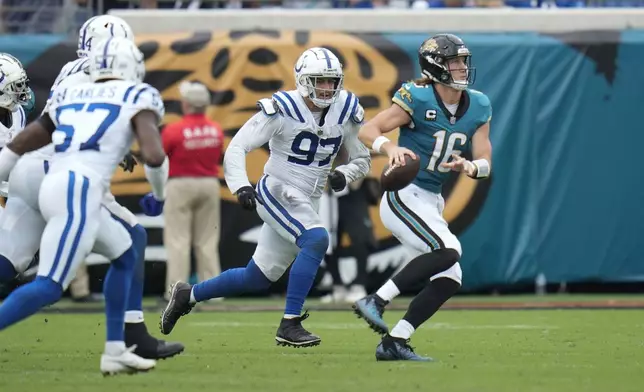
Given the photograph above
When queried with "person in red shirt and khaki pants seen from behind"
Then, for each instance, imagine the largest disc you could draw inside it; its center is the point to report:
(194, 146)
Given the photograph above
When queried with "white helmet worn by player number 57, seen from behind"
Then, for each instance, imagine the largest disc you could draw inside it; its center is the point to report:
(116, 58)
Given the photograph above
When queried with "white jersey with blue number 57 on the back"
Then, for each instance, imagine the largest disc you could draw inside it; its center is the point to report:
(93, 124)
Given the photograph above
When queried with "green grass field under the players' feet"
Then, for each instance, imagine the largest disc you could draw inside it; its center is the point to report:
(535, 350)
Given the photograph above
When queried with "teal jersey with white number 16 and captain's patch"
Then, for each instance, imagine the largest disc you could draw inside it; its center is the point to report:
(434, 134)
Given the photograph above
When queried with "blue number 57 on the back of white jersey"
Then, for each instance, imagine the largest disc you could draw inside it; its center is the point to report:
(91, 143)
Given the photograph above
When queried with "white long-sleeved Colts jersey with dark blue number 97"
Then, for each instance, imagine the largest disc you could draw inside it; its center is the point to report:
(302, 149)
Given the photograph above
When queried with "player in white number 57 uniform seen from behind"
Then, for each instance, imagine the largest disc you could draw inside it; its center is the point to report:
(92, 127)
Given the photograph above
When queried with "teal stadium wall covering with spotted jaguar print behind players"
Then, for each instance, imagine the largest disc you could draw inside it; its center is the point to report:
(564, 199)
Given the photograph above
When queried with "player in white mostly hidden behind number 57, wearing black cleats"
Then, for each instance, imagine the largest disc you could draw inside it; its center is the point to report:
(21, 227)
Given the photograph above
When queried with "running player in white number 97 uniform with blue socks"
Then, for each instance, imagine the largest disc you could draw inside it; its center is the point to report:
(305, 129)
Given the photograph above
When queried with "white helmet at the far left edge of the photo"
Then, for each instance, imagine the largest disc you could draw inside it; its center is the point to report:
(14, 83)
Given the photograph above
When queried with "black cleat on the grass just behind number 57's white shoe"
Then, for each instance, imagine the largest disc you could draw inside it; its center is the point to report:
(148, 346)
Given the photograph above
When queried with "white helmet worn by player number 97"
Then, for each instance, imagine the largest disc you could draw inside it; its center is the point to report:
(314, 64)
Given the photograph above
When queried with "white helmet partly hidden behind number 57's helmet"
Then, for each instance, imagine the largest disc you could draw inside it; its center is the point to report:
(99, 28)
